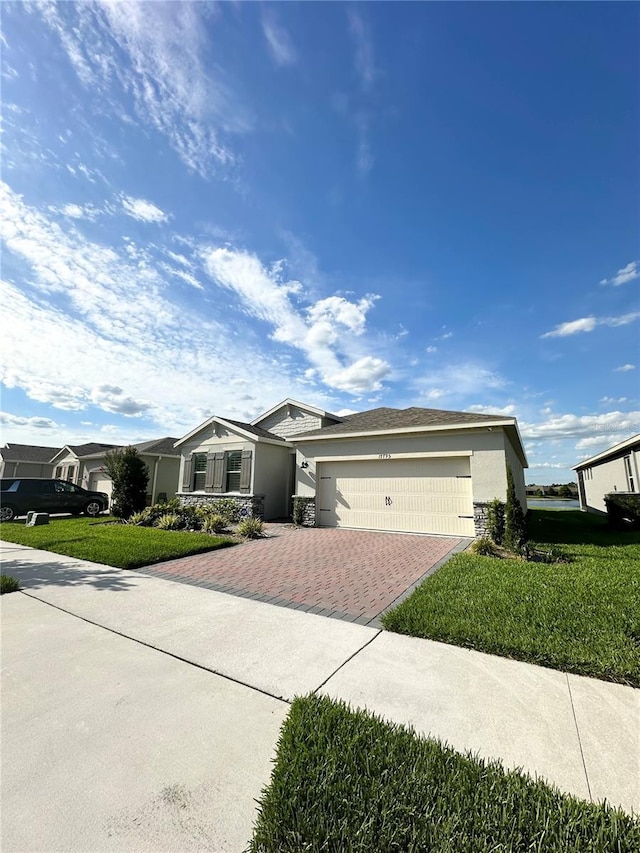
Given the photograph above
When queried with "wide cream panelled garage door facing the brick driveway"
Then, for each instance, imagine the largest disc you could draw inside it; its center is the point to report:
(407, 495)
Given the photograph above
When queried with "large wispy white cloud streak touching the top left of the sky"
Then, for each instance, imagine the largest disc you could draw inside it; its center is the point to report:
(155, 53)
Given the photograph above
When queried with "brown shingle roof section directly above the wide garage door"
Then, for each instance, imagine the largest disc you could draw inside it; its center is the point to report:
(383, 418)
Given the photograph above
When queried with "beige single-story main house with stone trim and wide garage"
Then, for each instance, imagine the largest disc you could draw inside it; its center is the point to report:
(413, 470)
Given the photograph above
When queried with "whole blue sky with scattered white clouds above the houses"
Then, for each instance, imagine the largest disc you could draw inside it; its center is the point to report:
(207, 208)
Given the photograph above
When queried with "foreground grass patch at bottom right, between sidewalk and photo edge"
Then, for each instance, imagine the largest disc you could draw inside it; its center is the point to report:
(346, 781)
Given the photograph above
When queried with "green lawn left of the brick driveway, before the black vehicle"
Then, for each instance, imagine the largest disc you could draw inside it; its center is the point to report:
(124, 546)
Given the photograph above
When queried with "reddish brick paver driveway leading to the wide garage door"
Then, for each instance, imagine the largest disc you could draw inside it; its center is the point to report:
(348, 574)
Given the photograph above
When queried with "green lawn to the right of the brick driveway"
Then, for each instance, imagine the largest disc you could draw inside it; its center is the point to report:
(582, 616)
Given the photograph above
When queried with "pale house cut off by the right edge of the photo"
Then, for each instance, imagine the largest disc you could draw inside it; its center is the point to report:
(613, 470)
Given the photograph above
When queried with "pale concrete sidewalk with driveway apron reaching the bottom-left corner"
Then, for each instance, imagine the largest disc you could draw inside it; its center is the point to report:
(147, 726)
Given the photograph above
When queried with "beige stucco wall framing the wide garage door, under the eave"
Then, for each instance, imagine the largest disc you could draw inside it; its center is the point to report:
(488, 469)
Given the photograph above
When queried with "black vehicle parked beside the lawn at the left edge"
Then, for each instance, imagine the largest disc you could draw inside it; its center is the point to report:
(20, 495)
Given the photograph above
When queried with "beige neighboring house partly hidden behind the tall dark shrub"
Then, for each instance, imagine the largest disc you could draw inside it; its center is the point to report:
(85, 465)
